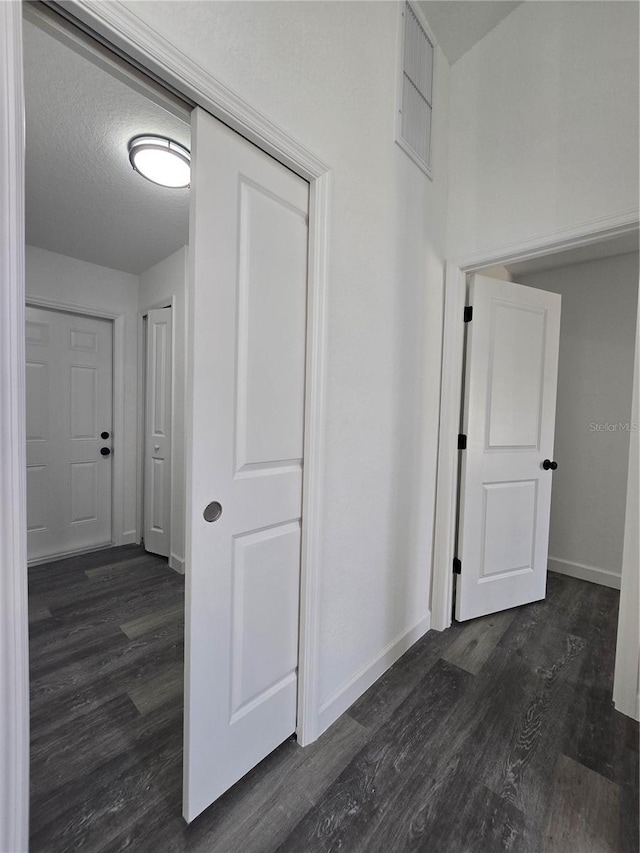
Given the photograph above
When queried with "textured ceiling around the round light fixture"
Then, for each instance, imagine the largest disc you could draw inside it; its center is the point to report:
(83, 199)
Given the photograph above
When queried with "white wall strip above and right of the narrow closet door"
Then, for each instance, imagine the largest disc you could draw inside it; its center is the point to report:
(161, 285)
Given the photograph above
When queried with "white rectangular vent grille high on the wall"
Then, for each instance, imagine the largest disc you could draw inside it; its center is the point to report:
(417, 90)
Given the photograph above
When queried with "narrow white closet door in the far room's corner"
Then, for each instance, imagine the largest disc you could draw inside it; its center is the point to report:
(157, 437)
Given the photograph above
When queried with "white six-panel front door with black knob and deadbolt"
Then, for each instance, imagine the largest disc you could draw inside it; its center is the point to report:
(69, 442)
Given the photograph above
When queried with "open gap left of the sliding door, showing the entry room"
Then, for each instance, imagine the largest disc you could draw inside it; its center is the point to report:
(106, 618)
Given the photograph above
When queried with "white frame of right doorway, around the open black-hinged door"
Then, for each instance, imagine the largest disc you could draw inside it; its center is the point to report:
(451, 385)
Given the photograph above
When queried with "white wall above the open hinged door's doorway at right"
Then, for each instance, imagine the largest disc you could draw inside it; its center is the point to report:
(544, 125)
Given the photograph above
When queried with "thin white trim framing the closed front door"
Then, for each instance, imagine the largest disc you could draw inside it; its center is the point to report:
(117, 437)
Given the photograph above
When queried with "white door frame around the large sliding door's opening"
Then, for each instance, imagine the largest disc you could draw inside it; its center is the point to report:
(161, 61)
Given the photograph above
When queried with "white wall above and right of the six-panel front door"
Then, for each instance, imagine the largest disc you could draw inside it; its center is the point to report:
(81, 285)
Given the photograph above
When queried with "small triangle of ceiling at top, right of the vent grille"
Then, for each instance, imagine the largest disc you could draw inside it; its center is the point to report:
(458, 24)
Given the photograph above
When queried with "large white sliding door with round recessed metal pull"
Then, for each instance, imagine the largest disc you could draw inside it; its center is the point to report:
(249, 221)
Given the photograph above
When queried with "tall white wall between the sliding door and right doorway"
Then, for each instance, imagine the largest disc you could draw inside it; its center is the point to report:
(326, 73)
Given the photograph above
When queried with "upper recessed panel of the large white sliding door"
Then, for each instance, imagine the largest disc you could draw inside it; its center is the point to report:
(270, 378)
